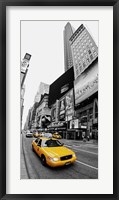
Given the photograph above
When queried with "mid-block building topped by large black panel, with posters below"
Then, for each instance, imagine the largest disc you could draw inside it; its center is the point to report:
(61, 102)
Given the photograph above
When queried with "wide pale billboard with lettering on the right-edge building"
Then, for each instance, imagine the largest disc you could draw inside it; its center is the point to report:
(86, 84)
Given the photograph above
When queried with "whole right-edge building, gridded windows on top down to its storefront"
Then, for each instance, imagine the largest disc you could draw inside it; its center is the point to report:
(85, 63)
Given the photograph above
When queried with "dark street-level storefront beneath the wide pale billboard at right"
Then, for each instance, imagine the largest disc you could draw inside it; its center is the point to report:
(87, 113)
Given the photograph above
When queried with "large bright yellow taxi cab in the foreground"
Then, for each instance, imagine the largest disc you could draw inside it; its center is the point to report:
(52, 152)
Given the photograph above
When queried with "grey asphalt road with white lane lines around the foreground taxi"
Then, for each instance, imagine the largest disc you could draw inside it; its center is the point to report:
(85, 167)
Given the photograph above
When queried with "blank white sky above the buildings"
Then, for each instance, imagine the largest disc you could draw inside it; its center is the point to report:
(44, 41)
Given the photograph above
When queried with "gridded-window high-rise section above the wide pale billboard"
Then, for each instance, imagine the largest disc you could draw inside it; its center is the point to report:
(84, 50)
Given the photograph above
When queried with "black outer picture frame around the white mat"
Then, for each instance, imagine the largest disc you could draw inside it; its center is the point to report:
(3, 5)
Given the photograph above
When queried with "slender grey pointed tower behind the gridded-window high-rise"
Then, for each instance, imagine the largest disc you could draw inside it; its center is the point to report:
(68, 32)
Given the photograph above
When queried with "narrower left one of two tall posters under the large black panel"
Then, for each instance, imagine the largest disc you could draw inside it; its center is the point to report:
(62, 110)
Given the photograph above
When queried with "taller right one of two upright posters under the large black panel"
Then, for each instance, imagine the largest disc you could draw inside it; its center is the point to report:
(69, 99)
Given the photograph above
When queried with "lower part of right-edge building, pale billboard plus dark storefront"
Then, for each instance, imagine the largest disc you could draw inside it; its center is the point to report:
(86, 100)
